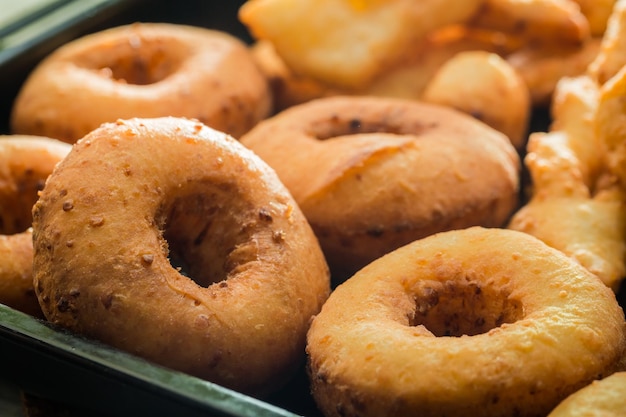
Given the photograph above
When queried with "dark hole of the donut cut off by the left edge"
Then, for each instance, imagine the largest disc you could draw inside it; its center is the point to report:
(18, 193)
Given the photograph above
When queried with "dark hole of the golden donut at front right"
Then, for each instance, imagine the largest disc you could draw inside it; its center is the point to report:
(461, 307)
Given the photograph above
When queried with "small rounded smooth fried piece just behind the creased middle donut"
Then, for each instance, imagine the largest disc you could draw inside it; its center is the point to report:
(484, 85)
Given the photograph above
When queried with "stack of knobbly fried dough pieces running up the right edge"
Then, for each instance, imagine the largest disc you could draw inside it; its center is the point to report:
(578, 169)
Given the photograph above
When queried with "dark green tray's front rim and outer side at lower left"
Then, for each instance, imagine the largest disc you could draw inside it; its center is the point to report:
(54, 364)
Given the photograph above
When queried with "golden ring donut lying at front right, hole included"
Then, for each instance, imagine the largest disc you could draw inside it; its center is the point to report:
(477, 321)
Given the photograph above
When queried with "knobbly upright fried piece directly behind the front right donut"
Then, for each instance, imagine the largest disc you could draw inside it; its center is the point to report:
(575, 206)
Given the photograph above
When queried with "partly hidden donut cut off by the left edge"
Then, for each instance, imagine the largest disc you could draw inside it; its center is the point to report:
(25, 164)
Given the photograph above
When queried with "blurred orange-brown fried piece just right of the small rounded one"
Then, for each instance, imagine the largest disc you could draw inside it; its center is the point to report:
(541, 67)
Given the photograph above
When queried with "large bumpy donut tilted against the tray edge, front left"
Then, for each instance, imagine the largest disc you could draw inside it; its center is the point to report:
(181, 247)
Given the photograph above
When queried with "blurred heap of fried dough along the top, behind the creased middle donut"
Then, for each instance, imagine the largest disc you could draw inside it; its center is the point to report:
(494, 59)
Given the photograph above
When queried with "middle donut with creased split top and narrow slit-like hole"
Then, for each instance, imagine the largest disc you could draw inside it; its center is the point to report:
(372, 174)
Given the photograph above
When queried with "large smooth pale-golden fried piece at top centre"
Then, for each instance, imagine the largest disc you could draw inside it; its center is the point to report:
(347, 43)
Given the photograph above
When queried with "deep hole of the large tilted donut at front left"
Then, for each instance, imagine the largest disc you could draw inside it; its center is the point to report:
(209, 233)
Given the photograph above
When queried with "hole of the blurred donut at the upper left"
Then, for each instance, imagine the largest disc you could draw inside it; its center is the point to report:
(139, 61)
